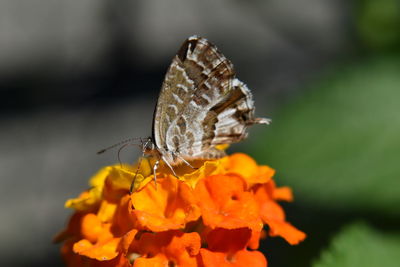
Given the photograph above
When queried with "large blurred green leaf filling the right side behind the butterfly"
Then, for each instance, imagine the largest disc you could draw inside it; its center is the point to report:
(338, 145)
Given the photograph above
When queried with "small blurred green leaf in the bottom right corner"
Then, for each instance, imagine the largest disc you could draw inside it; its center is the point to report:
(360, 245)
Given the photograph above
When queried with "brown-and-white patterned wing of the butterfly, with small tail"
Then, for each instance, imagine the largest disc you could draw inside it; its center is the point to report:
(201, 104)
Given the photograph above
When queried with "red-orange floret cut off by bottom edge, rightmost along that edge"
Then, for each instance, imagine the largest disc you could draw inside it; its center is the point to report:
(239, 259)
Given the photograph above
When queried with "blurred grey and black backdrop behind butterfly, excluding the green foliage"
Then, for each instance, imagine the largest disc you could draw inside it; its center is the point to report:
(76, 76)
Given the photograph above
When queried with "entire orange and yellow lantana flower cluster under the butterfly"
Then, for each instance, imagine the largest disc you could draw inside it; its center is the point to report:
(210, 216)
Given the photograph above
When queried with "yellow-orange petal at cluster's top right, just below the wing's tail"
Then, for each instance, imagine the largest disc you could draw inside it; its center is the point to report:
(247, 168)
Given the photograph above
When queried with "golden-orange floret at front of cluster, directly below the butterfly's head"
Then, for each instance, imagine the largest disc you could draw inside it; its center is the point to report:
(169, 206)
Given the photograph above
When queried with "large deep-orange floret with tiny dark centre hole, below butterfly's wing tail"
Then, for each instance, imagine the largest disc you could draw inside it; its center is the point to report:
(225, 204)
